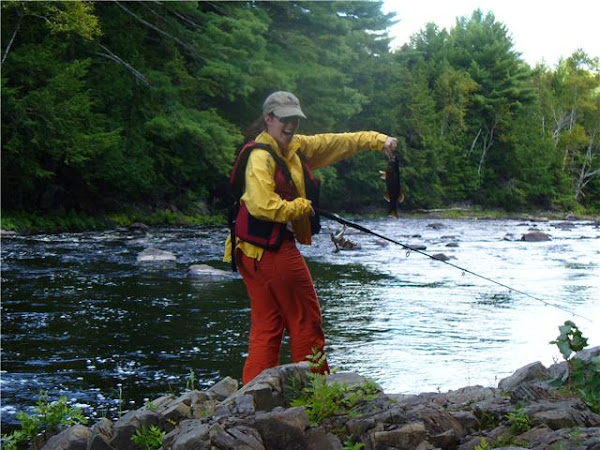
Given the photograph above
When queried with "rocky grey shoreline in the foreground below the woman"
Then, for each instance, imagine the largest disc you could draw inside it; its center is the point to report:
(524, 411)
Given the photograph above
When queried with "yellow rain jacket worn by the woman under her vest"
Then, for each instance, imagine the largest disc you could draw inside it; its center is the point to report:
(319, 151)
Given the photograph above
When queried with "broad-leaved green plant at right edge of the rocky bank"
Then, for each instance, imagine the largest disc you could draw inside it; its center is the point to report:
(582, 377)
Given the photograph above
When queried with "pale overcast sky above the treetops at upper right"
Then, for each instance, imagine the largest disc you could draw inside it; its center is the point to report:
(540, 30)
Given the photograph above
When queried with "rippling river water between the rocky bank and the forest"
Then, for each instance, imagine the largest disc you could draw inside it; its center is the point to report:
(81, 318)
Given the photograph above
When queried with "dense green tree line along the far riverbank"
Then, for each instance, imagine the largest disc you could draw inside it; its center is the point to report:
(109, 105)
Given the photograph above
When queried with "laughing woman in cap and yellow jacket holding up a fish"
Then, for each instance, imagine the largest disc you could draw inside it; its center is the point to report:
(277, 176)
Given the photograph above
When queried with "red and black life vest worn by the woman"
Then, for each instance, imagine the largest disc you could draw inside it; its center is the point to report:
(263, 233)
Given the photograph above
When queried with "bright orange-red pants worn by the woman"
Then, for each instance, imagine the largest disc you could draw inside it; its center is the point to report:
(282, 297)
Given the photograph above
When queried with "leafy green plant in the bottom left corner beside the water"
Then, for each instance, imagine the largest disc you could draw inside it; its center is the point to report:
(48, 418)
